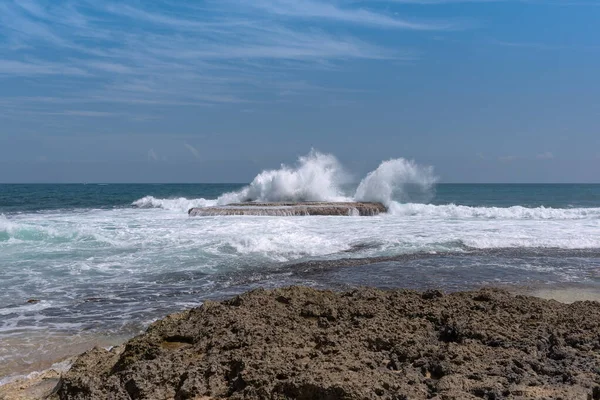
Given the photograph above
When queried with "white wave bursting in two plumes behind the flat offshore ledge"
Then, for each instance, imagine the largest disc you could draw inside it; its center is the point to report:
(320, 177)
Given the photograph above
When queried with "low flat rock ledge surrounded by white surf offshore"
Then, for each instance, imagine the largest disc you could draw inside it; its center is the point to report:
(292, 209)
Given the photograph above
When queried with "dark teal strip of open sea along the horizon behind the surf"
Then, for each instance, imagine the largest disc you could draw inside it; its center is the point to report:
(30, 198)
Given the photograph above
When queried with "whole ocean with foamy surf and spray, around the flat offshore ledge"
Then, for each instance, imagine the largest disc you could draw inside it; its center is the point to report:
(96, 263)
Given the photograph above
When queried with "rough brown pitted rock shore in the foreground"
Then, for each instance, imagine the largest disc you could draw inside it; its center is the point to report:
(301, 343)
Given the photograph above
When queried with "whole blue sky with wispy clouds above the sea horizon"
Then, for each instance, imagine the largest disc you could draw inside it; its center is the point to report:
(217, 90)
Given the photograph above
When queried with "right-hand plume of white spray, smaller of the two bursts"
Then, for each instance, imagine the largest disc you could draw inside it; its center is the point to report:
(397, 180)
